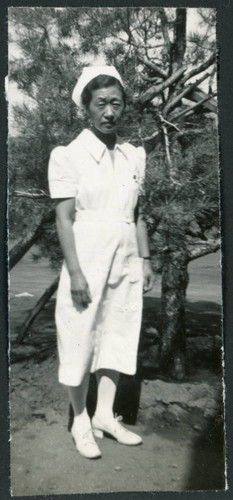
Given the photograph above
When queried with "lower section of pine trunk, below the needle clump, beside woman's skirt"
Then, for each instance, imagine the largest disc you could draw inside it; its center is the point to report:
(174, 284)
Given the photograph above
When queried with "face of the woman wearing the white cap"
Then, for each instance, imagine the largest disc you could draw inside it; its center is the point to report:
(106, 108)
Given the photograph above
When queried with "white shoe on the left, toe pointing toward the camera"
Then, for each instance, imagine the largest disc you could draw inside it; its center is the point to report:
(85, 442)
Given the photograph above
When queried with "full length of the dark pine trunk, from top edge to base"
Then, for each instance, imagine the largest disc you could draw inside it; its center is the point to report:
(175, 258)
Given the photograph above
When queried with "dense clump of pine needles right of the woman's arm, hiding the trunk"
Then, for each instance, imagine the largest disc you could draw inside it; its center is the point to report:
(193, 194)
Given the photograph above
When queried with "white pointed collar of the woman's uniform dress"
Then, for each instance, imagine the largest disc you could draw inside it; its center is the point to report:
(96, 147)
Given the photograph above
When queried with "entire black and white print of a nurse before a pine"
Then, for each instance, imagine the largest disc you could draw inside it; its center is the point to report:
(116, 352)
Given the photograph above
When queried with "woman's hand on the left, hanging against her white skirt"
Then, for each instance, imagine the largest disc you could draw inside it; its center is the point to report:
(80, 291)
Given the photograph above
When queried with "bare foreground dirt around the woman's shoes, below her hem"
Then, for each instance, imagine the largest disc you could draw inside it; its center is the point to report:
(44, 459)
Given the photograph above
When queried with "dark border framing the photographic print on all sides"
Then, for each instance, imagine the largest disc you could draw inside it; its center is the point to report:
(225, 98)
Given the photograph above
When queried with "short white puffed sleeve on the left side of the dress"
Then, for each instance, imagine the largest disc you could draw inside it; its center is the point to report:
(60, 176)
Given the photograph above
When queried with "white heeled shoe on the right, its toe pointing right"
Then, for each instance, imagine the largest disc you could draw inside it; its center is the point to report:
(113, 427)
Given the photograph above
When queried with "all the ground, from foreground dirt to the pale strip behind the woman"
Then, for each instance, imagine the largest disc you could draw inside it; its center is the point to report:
(181, 423)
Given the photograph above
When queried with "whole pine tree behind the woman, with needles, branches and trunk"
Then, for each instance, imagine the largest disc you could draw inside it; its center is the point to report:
(163, 67)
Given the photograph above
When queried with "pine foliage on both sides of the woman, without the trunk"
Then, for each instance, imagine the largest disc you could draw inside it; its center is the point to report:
(54, 44)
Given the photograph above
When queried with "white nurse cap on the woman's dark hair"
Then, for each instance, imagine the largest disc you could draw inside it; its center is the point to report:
(90, 72)
